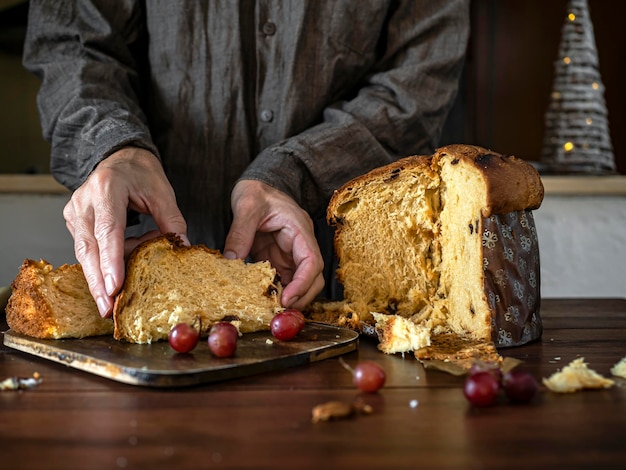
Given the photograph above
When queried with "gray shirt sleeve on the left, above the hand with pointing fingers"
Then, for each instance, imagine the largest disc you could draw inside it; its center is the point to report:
(89, 99)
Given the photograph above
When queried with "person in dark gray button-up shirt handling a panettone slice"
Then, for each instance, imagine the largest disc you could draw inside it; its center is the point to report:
(232, 122)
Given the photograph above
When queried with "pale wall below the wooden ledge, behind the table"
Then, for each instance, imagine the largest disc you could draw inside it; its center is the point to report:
(582, 241)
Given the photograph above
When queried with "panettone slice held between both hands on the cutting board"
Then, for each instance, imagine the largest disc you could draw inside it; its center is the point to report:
(167, 283)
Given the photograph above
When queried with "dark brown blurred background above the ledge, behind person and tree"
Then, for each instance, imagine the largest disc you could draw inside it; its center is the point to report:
(504, 96)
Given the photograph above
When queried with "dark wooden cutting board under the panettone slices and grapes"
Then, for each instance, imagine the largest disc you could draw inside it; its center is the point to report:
(158, 365)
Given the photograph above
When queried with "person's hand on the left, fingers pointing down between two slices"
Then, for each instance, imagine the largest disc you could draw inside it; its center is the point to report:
(131, 178)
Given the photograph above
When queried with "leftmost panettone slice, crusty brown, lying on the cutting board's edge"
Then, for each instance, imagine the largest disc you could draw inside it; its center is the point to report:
(53, 303)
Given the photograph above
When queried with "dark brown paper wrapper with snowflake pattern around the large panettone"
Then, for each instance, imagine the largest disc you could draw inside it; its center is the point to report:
(511, 268)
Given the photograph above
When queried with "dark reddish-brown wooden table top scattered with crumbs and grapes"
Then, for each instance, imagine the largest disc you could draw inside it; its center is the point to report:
(420, 420)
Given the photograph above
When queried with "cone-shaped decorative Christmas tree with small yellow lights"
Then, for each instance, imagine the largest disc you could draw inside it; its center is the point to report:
(577, 136)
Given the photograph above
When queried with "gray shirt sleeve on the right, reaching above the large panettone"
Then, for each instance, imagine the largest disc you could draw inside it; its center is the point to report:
(399, 110)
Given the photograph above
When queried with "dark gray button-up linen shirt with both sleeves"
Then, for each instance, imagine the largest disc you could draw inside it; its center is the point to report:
(301, 94)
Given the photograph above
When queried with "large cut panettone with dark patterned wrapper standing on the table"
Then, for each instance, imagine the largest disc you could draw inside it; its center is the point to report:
(446, 241)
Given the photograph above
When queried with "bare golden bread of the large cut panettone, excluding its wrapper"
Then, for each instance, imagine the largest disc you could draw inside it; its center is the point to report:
(408, 237)
